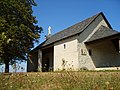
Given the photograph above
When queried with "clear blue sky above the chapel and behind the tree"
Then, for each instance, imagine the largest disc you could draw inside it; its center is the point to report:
(61, 14)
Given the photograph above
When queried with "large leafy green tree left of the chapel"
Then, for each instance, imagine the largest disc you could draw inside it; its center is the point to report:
(18, 30)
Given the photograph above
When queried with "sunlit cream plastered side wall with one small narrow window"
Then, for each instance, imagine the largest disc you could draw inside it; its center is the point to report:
(66, 54)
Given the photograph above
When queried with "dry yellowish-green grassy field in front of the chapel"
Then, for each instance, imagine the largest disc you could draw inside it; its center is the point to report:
(84, 80)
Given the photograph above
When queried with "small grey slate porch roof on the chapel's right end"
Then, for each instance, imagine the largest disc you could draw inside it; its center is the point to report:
(102, 32)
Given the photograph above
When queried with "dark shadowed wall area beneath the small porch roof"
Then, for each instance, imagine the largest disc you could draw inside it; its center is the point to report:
(104, 54)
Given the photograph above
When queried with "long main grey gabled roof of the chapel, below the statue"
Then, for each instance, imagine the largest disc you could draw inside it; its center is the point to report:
(71, 31)
